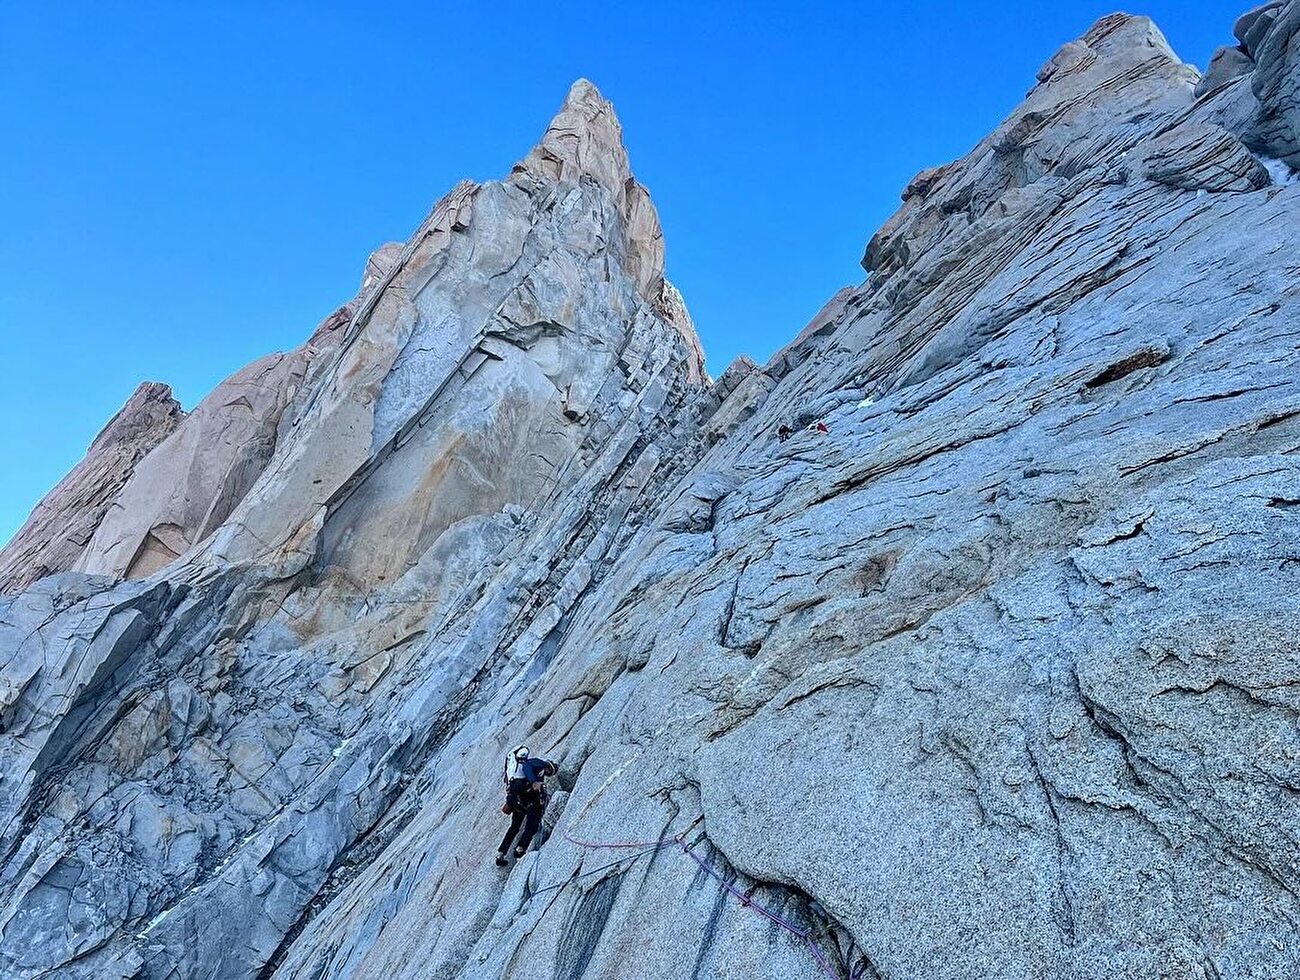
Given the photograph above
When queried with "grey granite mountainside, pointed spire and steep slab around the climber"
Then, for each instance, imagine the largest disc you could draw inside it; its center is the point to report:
(995, 678)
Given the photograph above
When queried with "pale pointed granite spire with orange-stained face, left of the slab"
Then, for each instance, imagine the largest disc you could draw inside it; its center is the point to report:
(536, 306)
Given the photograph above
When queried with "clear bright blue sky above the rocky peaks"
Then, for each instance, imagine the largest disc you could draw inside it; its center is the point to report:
(187, 187)
